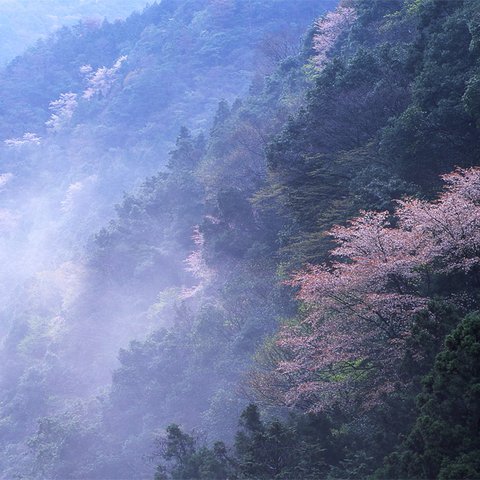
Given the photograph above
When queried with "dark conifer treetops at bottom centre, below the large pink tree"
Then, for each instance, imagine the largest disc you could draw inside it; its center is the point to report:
(301, 447)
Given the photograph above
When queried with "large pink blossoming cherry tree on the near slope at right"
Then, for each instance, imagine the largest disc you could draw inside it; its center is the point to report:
(362, 305)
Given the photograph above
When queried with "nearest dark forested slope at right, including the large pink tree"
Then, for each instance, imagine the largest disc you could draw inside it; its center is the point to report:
(391, 111)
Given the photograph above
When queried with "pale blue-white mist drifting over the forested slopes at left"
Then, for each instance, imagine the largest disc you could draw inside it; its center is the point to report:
(88, 114)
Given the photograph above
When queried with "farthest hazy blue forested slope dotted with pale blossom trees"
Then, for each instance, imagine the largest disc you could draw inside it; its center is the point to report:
(92, 110)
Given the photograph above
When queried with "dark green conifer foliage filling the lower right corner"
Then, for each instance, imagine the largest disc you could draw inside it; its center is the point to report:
(444, 441)
